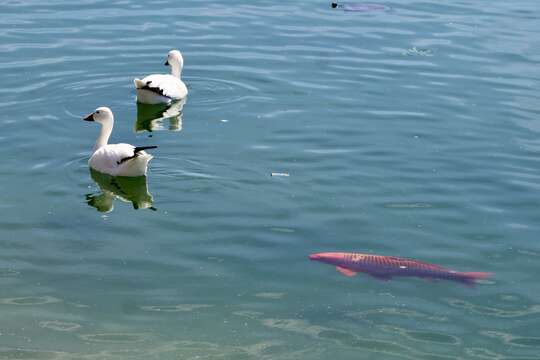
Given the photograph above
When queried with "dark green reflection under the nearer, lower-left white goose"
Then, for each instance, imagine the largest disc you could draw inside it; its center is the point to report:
(128, 189)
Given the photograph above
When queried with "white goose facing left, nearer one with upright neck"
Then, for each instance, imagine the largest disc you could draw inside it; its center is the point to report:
(116, 159)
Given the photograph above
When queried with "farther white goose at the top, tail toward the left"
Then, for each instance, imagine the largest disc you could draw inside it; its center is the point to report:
(163, 88)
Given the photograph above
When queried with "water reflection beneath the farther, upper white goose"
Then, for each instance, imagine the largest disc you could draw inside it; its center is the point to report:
(150, 117)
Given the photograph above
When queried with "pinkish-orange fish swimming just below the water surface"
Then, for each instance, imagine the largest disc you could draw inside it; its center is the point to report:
(387, 267)
